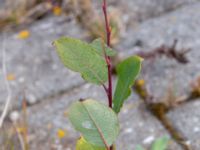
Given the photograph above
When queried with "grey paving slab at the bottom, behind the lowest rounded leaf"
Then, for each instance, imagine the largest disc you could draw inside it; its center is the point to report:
(137, 125)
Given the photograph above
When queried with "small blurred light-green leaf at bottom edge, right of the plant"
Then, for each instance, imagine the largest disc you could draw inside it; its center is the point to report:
(160, 144)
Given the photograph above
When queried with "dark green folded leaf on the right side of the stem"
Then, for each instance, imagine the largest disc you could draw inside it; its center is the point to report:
(127, 71)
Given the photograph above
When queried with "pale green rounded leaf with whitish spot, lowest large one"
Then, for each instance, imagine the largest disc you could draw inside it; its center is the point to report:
(98, 123)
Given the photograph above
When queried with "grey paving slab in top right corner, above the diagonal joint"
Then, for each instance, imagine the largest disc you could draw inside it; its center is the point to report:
(142, 10)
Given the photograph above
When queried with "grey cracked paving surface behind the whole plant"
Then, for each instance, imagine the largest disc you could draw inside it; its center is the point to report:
(50, 88)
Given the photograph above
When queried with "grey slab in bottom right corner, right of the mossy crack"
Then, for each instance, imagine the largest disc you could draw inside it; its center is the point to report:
(187, 119)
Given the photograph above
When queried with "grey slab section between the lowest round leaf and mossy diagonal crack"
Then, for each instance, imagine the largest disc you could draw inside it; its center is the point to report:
(139, 127)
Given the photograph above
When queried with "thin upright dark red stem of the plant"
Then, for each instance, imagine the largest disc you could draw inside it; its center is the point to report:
(107, 58)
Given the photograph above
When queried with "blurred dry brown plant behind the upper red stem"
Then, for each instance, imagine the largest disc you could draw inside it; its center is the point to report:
(87, 16)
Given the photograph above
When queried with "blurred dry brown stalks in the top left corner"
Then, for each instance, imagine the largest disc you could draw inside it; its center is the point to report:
(22, 12)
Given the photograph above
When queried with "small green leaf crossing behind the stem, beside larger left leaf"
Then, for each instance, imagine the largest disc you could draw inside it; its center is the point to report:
(97, 44)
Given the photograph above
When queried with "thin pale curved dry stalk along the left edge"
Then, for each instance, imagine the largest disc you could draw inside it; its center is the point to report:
(9, 93)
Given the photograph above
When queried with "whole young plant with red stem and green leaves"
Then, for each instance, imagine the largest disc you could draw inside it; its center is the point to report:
(98, 123)
